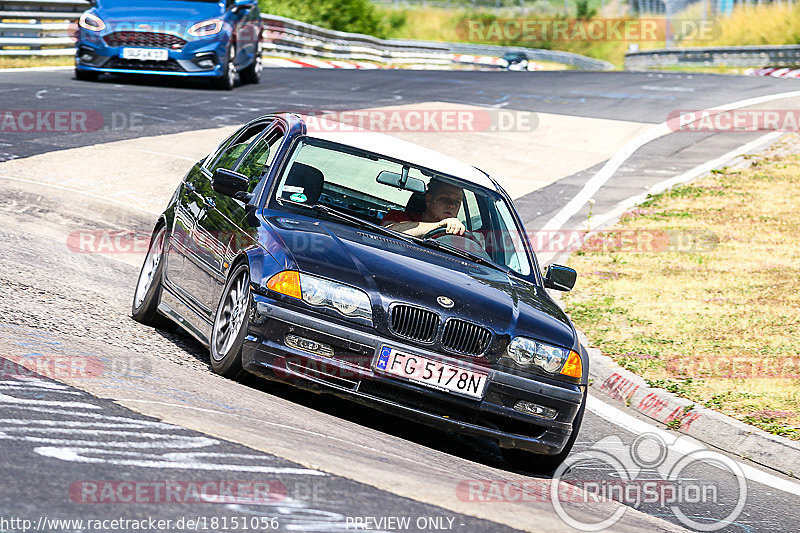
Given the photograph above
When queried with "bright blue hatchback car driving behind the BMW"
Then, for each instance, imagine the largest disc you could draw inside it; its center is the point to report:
(192, 38)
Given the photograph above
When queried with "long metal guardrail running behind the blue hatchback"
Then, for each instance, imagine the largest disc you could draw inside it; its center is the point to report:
(42, 27)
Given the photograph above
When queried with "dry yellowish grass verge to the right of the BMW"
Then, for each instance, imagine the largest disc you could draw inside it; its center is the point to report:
(709, 306)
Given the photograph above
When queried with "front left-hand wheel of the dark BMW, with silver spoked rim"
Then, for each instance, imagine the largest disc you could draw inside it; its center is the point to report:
(230, 324)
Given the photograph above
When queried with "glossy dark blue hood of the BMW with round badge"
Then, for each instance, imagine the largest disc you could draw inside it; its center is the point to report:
(394, 271)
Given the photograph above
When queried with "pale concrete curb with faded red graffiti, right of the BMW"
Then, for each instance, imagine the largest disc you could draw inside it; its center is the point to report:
(680, 414)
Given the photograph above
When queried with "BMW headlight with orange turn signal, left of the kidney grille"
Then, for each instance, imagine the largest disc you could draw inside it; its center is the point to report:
(321, 292)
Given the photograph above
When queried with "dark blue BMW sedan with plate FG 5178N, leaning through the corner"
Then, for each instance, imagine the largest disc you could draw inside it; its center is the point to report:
(348, 262)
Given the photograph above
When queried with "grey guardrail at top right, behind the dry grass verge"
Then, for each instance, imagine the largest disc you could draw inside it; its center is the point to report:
(729, 56)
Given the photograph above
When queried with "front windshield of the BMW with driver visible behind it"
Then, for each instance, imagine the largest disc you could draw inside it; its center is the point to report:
(360, 184)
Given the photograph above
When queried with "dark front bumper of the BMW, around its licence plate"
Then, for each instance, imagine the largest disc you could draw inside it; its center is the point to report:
(348, 373)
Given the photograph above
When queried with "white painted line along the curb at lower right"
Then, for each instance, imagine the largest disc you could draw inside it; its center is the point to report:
(683, 445)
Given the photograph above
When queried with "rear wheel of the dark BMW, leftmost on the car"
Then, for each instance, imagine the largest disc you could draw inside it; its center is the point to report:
(144, 308)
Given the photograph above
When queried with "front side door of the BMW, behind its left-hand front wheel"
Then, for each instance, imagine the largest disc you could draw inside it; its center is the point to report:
(208, 239)
